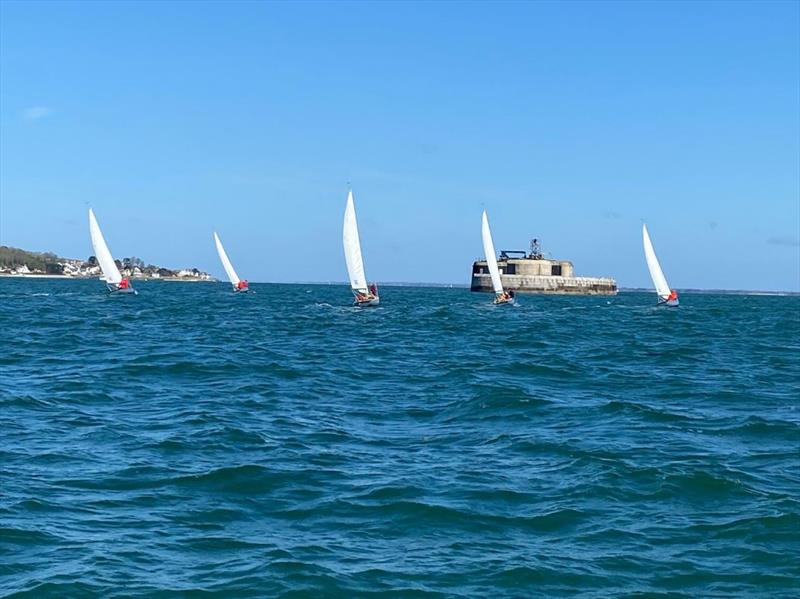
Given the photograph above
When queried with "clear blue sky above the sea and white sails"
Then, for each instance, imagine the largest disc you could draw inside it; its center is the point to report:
(568, 121)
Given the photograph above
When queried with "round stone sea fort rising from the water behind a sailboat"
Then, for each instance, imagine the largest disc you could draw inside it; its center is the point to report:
(531, 272)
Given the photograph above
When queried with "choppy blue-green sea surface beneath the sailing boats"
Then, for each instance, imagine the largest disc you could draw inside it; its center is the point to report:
(192, 443)
